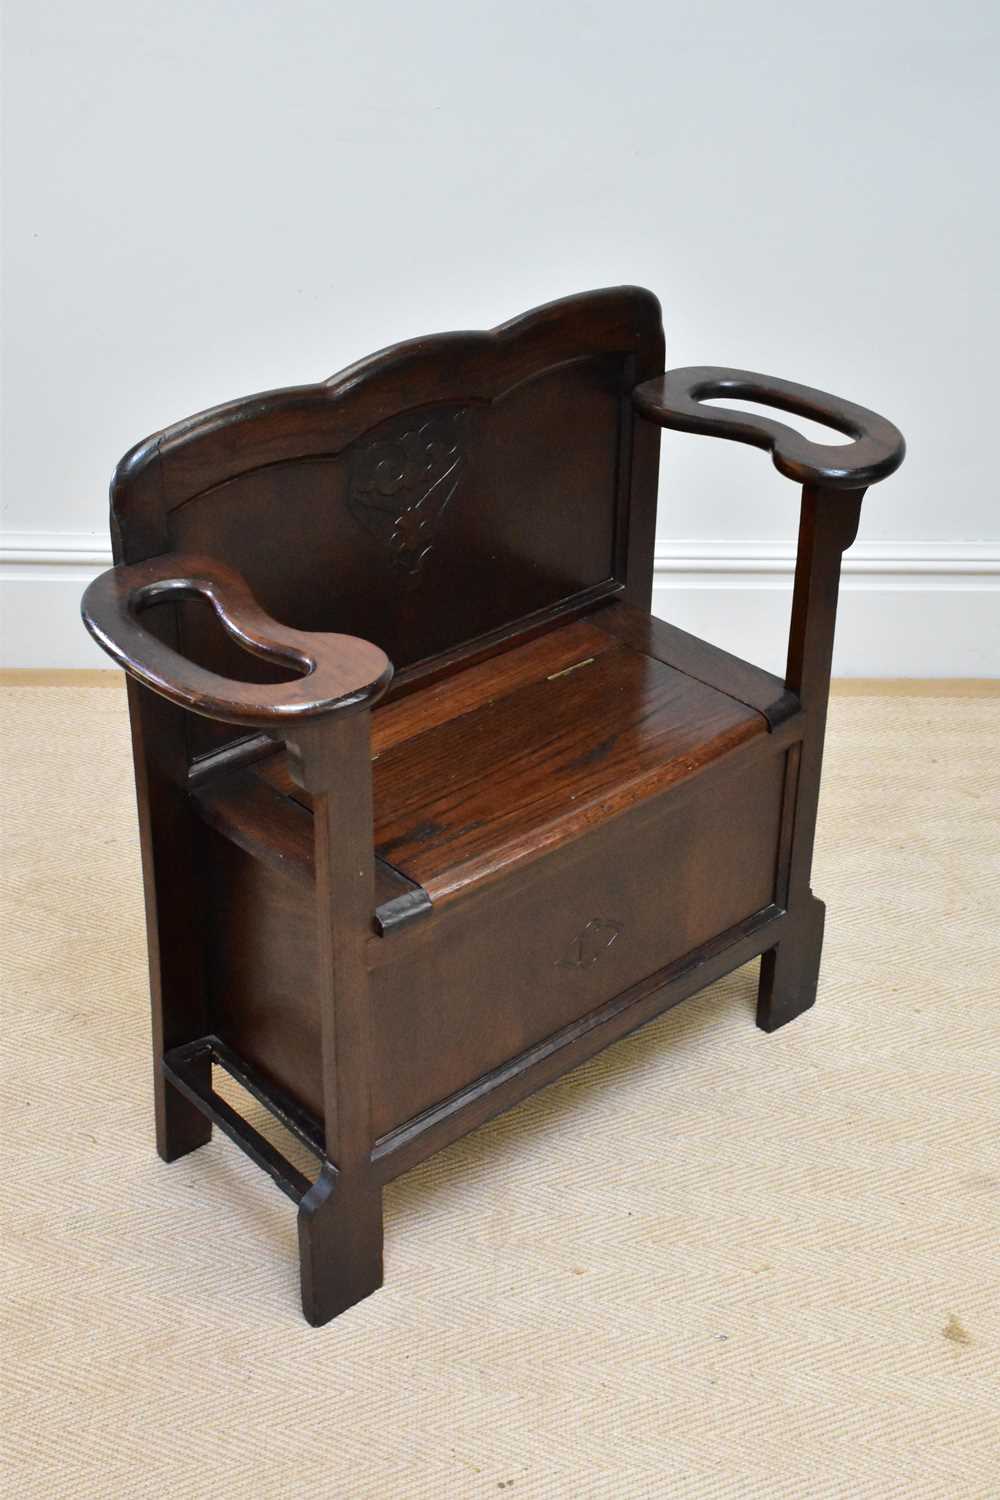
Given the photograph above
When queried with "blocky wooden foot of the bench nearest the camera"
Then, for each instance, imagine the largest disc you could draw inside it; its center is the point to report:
(340, 1246)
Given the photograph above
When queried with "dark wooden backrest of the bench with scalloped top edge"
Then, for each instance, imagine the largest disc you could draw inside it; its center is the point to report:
(440, 493)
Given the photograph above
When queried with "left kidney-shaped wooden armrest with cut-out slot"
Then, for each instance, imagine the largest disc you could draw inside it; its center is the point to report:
(337, 671)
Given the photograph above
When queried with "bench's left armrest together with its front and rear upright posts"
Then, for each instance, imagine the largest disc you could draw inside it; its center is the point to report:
(325, 718)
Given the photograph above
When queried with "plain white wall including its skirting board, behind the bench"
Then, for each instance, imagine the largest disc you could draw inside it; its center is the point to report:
(209, 199)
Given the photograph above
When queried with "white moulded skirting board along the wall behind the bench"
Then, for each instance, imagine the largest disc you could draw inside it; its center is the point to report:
(908, 610)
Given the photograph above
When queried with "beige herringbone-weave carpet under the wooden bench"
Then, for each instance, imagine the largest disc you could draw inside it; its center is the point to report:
(710, 1264)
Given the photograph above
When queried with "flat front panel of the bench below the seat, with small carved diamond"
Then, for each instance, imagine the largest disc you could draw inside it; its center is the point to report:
(627, 902)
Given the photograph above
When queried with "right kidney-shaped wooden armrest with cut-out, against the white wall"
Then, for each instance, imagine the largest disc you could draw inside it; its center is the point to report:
(677, 400)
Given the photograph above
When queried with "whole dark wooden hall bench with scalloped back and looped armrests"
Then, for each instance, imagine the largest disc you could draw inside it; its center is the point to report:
(392, 917)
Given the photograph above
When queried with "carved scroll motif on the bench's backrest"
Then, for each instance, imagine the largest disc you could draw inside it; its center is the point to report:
(403, 485)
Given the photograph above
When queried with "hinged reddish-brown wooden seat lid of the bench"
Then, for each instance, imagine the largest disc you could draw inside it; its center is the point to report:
(464, 794)
